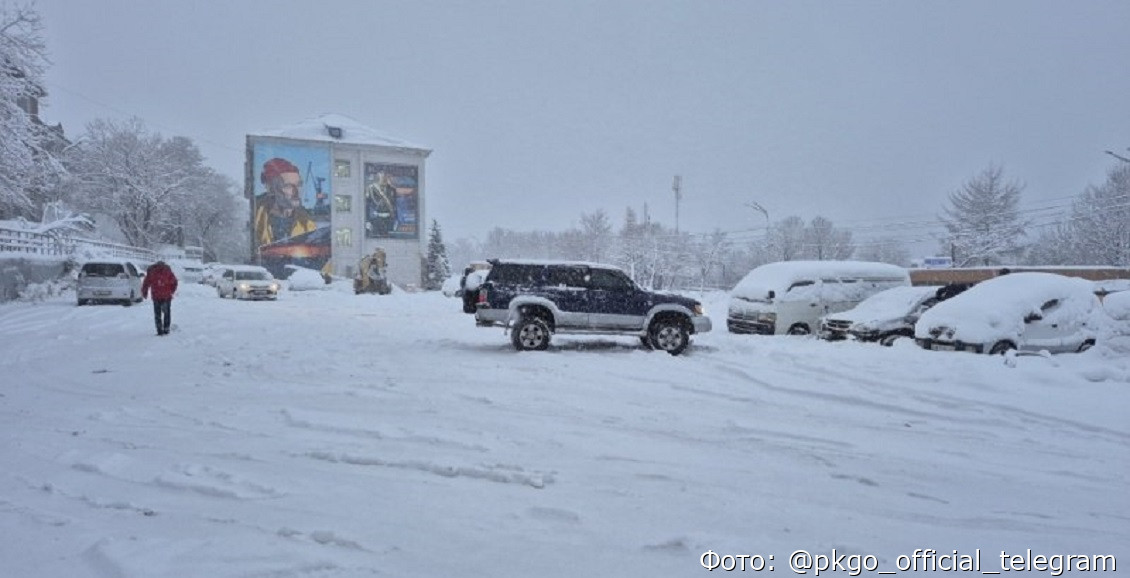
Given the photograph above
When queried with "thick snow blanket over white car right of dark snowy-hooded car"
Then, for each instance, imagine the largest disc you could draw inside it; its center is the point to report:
(995, 310)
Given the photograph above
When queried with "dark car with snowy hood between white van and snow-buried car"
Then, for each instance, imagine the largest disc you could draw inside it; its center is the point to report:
(884, 318)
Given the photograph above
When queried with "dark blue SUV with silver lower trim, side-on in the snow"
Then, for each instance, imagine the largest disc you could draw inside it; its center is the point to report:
(534, 300)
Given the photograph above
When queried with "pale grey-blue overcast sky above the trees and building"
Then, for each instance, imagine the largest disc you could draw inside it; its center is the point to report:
(867, 113)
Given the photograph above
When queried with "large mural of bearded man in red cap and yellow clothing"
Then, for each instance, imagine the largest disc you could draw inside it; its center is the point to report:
(291, 211)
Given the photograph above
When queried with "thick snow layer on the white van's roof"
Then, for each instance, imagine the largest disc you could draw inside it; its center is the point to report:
(779, 277)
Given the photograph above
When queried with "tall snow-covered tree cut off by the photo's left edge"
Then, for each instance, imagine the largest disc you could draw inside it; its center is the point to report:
(28, 168)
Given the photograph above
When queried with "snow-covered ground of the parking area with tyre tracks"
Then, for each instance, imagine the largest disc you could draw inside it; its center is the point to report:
(332, 435)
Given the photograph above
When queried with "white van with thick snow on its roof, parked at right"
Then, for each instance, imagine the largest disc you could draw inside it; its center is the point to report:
(790, 297)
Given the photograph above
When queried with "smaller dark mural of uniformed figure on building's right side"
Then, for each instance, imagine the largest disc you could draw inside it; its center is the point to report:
(392, 202)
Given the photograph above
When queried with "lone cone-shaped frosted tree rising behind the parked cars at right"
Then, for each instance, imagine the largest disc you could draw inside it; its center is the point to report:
(984, 222)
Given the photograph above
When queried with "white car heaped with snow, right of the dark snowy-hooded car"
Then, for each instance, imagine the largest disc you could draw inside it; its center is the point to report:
(1027, 312)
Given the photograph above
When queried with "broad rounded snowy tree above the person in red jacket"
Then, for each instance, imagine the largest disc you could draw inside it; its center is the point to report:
(147, 183)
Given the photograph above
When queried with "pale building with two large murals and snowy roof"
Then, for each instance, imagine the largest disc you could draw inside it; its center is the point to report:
(328, 191)
